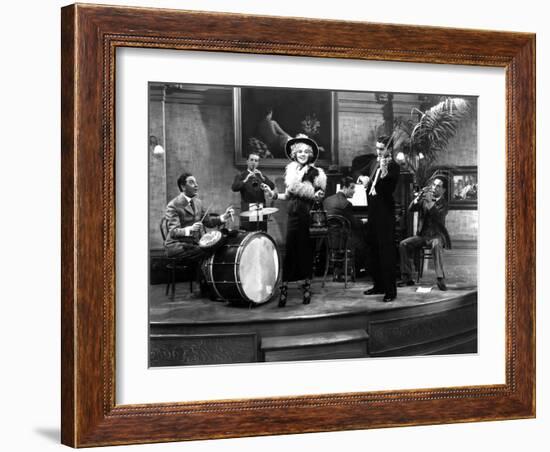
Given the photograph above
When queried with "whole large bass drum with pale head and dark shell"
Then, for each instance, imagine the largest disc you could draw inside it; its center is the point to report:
(245, 269)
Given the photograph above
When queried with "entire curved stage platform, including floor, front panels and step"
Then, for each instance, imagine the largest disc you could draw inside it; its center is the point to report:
(339, 323)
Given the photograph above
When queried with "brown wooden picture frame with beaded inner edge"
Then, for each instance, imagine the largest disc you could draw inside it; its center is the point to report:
(90, 38)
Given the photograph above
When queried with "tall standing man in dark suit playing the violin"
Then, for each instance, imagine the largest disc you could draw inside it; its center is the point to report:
(380, 184)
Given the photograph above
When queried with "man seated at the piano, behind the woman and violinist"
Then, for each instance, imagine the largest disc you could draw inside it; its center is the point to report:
(339, 204)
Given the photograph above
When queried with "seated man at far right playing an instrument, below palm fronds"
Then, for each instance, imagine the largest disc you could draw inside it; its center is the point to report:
(432, 209)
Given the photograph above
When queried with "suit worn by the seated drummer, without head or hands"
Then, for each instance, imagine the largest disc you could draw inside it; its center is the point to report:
(179, 215)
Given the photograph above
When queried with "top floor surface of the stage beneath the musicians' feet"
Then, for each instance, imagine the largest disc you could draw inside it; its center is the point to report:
(331, 300)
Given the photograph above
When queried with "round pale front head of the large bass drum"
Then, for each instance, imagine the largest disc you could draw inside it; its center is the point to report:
(259, 268)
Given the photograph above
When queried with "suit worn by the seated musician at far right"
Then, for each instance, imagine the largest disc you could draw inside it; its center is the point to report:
(431, 232)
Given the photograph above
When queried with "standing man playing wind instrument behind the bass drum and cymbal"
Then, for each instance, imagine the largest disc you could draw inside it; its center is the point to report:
(249, 183)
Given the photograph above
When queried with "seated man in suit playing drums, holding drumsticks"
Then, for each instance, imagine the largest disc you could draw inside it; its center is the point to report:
(186, 219)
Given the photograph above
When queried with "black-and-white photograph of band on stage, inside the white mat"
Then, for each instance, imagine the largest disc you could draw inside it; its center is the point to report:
(292, 224)
